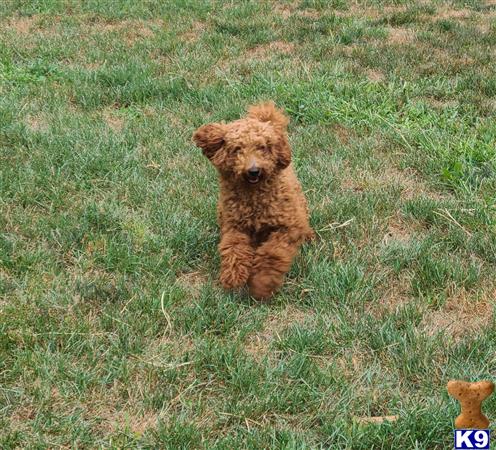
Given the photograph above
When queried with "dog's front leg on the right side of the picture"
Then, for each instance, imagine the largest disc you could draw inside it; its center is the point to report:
(272, 260)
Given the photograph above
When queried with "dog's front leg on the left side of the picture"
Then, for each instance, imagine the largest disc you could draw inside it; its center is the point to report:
(236, 255)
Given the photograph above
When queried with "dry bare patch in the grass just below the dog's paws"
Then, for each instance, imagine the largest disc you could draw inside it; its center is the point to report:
(258, 343)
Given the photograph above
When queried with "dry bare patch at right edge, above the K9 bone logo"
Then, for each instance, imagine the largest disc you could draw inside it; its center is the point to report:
(463, 314)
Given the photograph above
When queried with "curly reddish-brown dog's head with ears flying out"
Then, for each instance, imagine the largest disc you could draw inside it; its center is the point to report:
(252, 149)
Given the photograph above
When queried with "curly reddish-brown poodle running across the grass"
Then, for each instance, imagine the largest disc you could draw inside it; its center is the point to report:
(262, 211)
